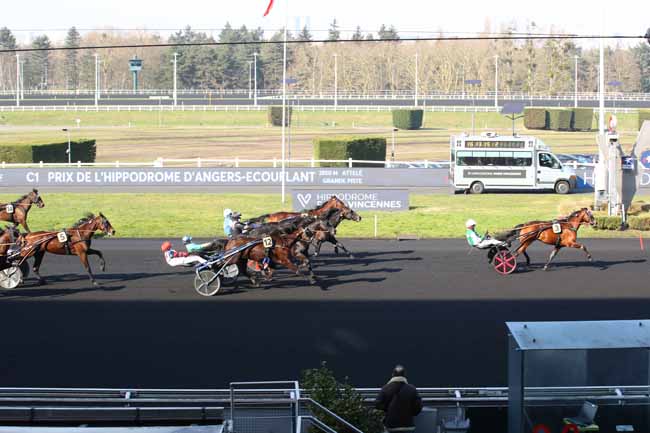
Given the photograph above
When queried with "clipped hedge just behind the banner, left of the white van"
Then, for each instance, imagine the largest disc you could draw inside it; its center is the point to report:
(342, 148)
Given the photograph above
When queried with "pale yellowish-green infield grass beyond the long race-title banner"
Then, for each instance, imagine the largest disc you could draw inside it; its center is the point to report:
(132, 136)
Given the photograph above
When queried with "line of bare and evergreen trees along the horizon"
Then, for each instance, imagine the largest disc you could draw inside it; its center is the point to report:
(545, 66)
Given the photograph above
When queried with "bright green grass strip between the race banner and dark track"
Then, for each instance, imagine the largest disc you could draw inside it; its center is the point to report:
(431, 215)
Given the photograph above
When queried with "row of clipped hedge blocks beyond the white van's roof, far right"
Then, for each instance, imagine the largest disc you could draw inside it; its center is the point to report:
(559, 119)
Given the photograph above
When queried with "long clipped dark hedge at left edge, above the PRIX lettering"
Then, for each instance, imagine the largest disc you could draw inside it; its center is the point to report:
(81, 150)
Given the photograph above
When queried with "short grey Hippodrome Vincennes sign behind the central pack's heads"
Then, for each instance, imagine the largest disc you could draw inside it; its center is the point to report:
(357, 199)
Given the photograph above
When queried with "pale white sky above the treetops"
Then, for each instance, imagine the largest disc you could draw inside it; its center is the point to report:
(412, 18)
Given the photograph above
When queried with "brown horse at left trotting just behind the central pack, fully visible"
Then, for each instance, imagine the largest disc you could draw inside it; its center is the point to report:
(77, 242)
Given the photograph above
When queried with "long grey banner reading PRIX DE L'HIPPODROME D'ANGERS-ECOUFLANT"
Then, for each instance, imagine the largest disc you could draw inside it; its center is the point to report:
(152, 176)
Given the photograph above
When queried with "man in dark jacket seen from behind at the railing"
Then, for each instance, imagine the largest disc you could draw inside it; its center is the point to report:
(400, 402)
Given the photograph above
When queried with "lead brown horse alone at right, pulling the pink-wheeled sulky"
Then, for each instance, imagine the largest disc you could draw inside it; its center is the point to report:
(543, 231)
